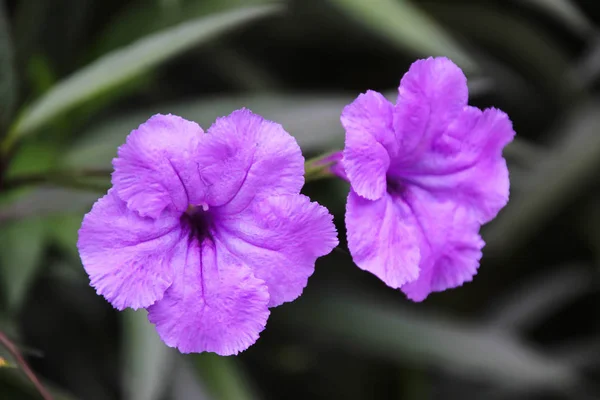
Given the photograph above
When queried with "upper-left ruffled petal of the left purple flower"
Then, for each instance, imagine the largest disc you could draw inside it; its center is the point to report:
(156, 165)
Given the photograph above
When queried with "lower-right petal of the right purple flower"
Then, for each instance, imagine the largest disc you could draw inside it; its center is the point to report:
(449, 241)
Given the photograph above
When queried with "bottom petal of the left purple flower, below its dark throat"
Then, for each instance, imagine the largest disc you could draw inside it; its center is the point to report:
(215, 303)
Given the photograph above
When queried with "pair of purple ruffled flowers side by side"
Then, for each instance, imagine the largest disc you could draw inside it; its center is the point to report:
(207, 231)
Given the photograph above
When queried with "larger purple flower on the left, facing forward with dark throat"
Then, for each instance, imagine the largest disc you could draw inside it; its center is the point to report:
(206, 231)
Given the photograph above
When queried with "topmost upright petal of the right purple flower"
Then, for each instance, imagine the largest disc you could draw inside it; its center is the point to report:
(431, 95)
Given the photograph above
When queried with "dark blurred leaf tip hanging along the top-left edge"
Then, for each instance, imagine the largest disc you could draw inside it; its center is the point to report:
(8, 78)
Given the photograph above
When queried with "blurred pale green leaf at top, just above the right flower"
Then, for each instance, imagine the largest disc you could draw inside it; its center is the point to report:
(408, 26)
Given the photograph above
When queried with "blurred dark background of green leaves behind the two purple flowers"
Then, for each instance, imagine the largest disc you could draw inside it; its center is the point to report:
(76, 76)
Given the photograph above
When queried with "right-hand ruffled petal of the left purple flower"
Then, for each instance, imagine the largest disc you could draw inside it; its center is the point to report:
(280, 239)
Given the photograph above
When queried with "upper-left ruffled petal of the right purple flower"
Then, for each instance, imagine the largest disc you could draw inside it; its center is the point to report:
(370, 142)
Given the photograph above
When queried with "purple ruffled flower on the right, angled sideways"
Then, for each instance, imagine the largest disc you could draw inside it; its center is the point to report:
(425, 174)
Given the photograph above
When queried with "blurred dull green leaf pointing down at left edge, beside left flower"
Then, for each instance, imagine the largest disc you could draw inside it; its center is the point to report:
(21, 250)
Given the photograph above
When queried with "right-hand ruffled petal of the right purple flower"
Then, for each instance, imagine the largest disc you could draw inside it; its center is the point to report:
(465, 164)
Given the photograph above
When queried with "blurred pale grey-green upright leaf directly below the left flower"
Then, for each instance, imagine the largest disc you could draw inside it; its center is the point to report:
(148, 361)
